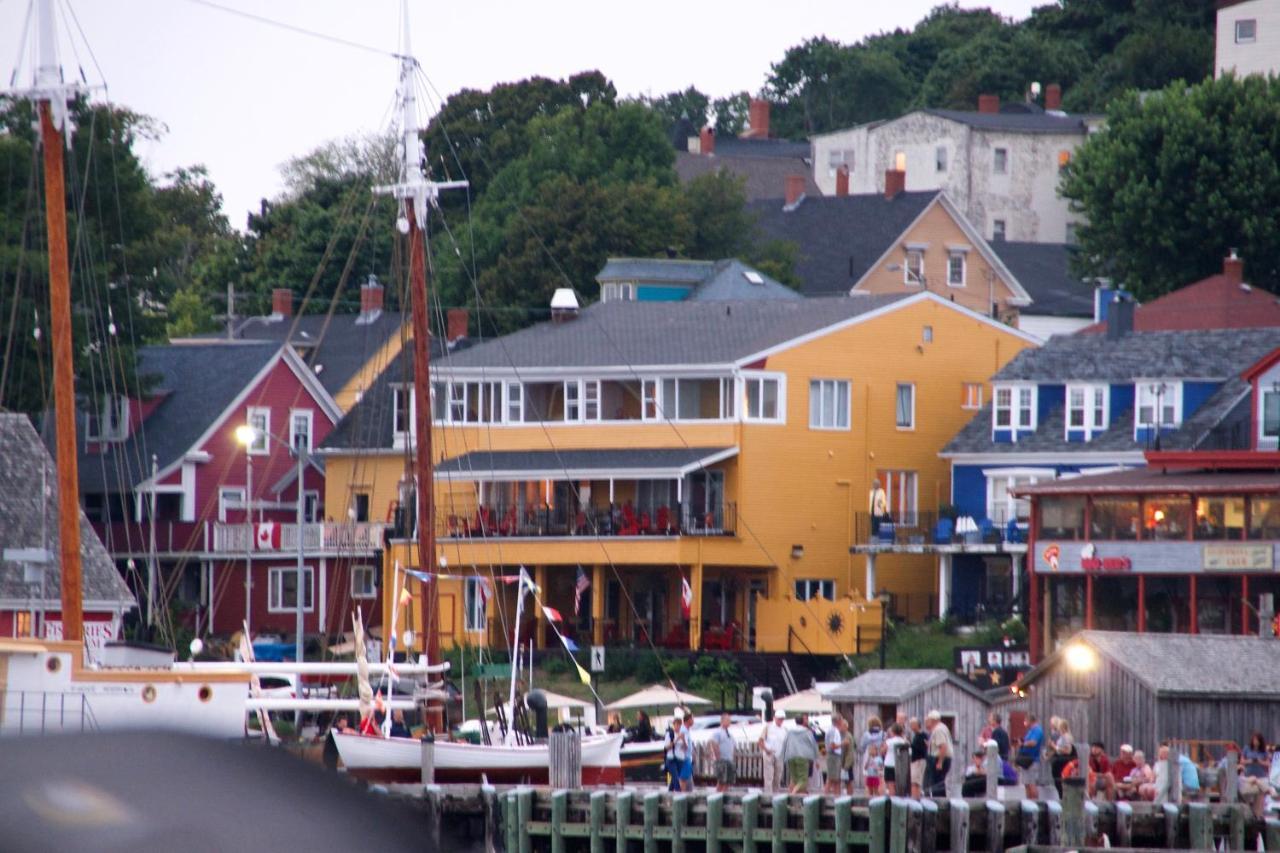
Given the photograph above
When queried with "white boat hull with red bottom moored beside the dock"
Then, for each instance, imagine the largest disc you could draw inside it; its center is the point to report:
(400, 760)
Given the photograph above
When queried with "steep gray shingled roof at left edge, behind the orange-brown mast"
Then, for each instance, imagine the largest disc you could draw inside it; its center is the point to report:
(26, 518)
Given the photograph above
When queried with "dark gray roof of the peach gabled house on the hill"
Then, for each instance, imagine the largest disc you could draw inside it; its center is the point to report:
(839, 238)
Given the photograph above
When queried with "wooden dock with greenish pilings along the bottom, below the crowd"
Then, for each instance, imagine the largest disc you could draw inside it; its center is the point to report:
(524, 820)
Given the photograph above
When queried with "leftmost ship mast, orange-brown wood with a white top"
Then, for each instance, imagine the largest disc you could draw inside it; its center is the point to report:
(53, 122)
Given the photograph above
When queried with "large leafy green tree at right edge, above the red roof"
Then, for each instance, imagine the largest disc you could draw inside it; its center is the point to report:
(1177, 180)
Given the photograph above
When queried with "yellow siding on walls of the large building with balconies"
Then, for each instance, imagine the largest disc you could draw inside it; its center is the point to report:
(793, 486)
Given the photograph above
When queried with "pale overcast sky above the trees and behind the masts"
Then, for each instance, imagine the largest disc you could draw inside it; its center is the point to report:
(243, 97)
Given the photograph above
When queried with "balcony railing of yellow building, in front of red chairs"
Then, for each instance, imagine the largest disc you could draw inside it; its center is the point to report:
(606, 521)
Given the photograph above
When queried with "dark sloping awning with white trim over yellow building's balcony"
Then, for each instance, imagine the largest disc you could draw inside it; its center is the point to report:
(619, 464)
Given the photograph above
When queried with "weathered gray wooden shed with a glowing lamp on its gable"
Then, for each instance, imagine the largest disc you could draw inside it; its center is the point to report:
(1121, 687)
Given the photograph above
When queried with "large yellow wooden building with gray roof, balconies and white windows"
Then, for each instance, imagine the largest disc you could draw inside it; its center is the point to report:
(728, 445)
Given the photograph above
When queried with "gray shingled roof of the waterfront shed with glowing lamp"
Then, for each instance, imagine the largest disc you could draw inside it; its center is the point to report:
(1201, 665)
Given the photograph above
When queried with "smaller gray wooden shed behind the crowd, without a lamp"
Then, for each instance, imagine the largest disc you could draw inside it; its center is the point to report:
(884, 694)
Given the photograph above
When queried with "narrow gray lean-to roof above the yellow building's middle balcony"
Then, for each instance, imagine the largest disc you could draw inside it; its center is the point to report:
(579, 464)
